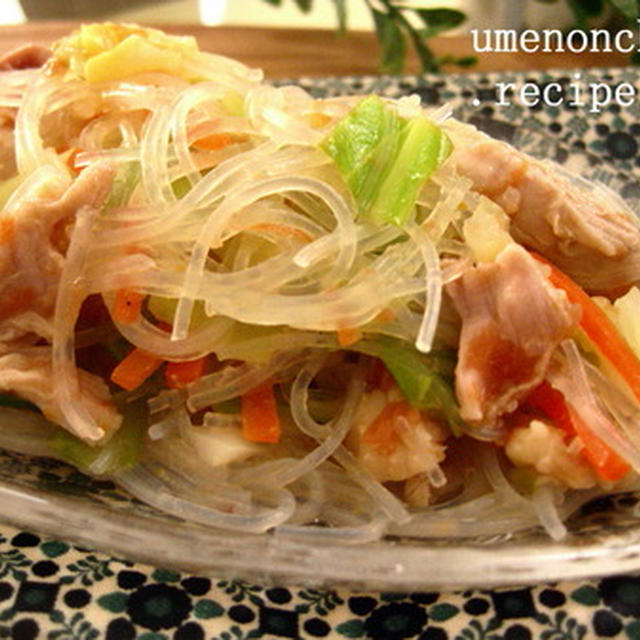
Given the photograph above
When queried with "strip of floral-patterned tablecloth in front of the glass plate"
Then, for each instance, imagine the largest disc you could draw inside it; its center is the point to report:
(50, 589)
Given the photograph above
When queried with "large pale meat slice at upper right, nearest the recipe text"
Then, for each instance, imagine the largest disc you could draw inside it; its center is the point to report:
(586, 231)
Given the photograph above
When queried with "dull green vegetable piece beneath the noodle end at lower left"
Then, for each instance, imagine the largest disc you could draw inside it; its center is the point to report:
(120, 452)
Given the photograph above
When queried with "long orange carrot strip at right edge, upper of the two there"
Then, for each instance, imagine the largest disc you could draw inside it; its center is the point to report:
(600, 330)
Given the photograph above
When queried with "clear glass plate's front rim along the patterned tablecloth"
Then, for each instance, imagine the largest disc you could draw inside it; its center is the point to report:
(384, 565)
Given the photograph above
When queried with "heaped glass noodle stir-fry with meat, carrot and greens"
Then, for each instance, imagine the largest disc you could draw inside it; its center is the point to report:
(250, 310)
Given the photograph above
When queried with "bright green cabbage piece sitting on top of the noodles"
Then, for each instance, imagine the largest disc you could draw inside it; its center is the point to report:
(385, 159)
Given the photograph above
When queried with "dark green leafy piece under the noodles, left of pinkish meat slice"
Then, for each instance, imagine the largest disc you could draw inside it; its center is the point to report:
(421, 377)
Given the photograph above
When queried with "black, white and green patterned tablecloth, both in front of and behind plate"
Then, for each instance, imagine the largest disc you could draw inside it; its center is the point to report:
(51, 589)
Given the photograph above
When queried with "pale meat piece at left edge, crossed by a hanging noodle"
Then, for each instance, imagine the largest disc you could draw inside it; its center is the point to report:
(34, 237)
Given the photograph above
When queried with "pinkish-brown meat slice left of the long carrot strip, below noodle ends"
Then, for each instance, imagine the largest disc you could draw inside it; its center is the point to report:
(512, 319)
